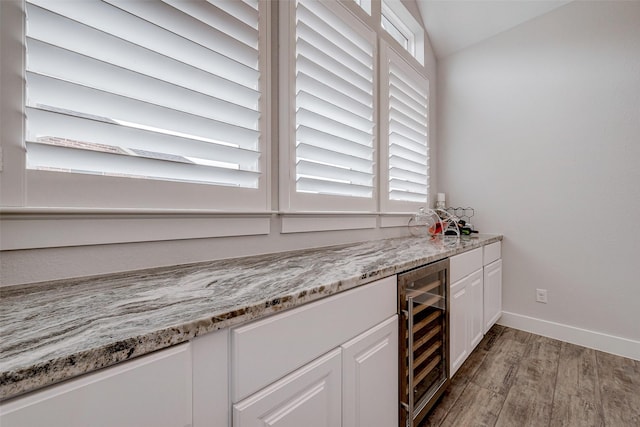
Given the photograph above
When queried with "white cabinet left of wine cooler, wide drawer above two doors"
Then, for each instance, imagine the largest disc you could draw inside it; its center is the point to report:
(330, 363)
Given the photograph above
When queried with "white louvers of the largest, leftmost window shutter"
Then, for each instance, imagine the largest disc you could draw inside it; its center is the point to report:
(164, 90)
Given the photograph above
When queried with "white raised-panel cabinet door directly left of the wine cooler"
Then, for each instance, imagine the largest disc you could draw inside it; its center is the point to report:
(370, 377)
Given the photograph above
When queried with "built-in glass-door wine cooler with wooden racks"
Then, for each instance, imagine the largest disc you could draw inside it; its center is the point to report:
(424, 339)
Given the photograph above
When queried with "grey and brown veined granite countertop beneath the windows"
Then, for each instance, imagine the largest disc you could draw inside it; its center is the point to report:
(53, 331)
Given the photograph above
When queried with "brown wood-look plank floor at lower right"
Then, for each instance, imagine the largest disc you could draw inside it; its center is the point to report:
(517, 379)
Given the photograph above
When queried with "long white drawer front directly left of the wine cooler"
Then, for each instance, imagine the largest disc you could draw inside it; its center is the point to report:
(268, 349)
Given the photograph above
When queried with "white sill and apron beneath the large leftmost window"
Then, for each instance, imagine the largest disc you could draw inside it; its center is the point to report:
(32, 228)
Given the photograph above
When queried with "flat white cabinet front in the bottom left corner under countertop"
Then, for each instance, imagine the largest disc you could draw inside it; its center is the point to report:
(152, 390)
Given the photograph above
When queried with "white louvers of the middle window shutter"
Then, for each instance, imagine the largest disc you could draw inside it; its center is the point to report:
(334, 102)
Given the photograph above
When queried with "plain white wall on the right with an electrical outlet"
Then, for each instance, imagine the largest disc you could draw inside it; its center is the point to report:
(539, 131)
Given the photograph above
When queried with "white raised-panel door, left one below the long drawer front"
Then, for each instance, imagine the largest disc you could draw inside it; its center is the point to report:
(309, 397)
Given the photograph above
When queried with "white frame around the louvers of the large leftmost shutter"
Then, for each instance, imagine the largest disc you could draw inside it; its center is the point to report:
(48, 189)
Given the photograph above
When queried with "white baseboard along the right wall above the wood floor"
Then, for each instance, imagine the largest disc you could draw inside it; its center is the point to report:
(591, 339)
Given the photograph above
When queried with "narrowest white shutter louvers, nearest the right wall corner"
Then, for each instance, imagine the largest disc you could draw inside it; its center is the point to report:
(408, 146)
